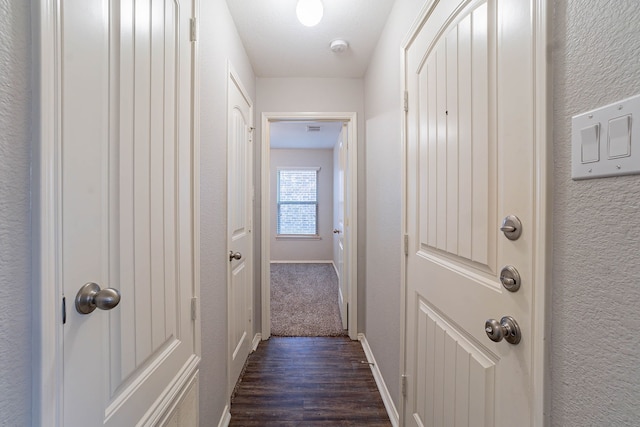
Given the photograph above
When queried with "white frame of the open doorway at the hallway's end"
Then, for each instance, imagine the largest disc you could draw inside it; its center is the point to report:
(352, 196)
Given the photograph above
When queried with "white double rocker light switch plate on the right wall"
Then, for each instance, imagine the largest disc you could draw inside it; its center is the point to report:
(609, 162)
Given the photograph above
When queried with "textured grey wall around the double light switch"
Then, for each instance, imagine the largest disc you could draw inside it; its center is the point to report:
(595, 344)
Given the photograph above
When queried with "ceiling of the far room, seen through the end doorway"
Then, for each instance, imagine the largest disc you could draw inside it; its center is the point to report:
(294, 134)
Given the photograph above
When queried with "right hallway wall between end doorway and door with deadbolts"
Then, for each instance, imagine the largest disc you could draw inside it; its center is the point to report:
(384, 194)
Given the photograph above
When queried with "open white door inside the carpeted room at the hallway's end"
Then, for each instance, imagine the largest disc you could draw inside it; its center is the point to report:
(338, 228)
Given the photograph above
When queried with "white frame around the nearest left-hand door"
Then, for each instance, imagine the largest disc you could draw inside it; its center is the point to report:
(46, 283)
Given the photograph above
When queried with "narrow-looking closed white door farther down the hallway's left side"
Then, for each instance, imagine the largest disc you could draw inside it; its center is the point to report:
(239, 217)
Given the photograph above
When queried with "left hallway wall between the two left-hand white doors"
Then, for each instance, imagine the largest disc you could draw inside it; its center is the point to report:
(218, 42)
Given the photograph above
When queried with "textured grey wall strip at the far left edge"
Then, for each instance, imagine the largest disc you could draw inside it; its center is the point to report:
(15, 231)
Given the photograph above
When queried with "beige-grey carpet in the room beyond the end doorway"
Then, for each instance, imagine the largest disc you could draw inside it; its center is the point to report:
(304, 301)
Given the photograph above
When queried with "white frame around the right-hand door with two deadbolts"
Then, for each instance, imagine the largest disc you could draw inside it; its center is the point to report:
(542, 239)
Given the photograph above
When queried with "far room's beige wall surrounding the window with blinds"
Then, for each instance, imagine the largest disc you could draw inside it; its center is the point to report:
(289, 249)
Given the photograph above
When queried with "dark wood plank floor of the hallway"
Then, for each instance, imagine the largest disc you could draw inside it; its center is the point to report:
(308, 381)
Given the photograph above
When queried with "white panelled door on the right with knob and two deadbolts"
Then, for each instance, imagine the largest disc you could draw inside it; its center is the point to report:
(470, 163)
